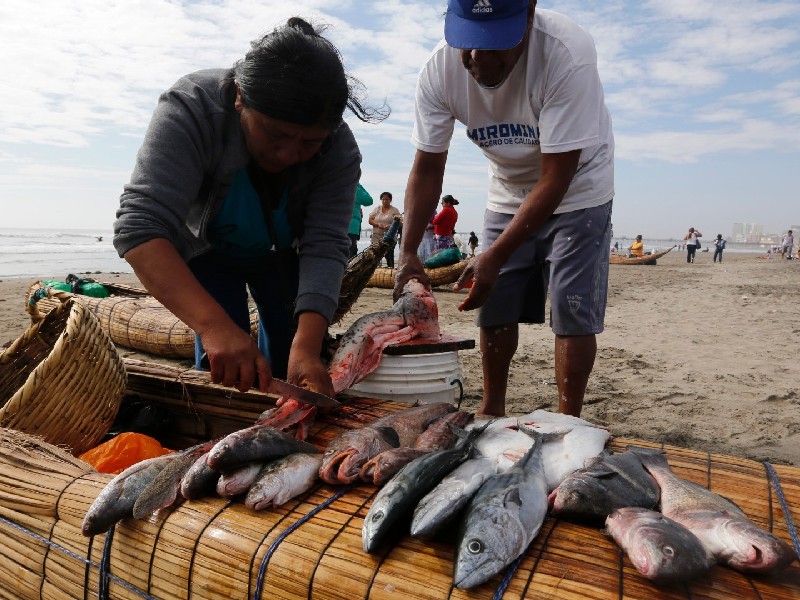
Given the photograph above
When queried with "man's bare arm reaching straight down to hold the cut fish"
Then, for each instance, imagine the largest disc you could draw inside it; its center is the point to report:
(422, 195)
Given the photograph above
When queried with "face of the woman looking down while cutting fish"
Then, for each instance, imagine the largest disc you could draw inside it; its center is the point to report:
(277, 145)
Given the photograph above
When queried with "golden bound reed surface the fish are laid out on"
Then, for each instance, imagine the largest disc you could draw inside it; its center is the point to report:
(311, 547)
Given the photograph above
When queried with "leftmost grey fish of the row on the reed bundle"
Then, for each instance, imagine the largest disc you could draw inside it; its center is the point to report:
(115, 502)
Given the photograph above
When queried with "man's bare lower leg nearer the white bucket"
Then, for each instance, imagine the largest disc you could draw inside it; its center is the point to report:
(498, 345)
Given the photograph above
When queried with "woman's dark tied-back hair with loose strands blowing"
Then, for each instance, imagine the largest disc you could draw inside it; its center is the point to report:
(294, 74)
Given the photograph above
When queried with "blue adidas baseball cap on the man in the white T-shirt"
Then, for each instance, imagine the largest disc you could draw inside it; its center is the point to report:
(485, 24)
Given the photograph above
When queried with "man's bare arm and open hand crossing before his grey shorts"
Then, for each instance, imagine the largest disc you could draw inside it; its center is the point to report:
(538, 206)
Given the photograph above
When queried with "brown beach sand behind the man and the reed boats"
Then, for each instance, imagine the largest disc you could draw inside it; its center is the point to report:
(703, 356)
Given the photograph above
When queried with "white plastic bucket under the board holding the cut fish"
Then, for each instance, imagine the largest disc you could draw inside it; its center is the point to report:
(423, 378)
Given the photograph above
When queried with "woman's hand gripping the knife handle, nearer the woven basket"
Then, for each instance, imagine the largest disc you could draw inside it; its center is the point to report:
(234, 358)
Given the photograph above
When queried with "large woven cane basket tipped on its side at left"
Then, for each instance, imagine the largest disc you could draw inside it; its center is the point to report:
(62, 379)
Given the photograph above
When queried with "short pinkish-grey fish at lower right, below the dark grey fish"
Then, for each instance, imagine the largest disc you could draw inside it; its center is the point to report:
(661, 549)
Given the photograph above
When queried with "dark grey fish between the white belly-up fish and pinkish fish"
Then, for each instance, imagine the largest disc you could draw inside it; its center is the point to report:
(607, 482)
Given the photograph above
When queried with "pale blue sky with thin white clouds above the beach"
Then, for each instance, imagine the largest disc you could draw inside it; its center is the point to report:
(704, 97)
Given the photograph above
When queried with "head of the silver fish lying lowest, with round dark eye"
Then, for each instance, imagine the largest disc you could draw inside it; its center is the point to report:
(489, 543)
